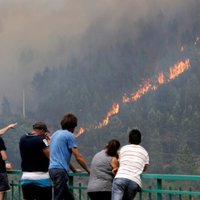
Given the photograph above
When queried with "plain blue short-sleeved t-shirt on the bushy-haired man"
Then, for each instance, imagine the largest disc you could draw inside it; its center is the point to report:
(62, 141)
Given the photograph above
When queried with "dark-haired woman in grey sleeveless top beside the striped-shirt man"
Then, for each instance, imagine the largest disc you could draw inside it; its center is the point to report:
(101, 171)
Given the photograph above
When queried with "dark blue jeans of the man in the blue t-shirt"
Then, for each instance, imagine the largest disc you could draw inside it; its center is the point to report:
(60, 179)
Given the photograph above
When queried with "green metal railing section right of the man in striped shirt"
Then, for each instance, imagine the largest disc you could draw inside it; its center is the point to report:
(168, 187)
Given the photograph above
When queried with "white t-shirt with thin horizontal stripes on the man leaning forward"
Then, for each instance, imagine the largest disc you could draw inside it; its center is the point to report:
(132, 160)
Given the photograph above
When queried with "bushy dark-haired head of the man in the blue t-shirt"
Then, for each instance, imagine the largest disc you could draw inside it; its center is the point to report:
(69, 122)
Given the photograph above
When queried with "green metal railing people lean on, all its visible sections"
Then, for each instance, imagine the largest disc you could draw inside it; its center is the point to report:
(155, 186)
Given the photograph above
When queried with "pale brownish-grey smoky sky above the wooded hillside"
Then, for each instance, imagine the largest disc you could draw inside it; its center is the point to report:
(41, 33)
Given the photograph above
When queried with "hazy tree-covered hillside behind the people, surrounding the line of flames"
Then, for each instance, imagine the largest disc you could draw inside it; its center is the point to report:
(169, 117)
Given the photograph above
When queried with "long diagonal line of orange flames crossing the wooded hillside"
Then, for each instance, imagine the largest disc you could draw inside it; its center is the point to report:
(148, 85)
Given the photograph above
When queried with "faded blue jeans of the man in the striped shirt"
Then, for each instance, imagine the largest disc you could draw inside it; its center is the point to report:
(124, 189)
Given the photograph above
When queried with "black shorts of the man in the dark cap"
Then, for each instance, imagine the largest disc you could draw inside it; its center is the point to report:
(34, 192)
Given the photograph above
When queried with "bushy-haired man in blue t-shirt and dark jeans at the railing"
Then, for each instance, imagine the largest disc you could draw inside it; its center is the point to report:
(63, 145)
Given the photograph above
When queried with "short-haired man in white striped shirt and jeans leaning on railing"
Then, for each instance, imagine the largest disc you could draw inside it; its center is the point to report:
(133, 160)
